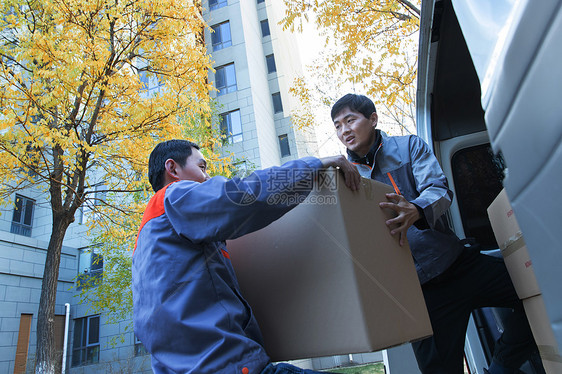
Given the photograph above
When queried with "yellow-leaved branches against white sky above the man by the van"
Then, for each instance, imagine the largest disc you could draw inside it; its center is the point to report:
(370, 44)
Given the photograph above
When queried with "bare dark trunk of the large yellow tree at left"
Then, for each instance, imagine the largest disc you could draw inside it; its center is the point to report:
(45, 362)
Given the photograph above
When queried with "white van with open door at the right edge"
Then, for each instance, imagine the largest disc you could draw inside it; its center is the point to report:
(490, 104)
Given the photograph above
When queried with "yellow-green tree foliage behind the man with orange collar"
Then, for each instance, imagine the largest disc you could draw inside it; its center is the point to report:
(113, 239)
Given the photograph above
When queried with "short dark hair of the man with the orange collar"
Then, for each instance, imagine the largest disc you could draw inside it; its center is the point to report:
(176, 149)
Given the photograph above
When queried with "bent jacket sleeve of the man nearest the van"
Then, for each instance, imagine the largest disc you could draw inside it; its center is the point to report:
(435, 197)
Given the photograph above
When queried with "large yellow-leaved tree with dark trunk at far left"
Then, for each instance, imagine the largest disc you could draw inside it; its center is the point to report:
(87, 88)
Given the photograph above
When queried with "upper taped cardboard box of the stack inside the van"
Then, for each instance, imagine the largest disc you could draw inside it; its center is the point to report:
(513, 248)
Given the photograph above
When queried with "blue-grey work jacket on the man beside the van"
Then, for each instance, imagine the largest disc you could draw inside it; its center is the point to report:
(409, 163)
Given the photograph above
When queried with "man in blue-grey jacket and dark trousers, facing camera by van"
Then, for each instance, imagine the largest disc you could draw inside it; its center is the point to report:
(455, 280)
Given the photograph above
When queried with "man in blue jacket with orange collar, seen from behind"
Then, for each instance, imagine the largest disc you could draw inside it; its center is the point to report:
(188, 310)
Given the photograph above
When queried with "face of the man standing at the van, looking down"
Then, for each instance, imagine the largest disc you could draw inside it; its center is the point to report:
(355, 131)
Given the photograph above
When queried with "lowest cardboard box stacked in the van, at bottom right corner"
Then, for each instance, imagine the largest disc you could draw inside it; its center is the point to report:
(544, 336)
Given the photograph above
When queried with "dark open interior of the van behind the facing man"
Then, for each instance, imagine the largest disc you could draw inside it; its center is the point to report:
(452, 121)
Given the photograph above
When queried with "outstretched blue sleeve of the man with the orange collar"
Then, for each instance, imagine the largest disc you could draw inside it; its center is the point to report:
(221, 208)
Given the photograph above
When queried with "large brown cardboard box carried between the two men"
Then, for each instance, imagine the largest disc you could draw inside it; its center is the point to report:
(328, 278)
